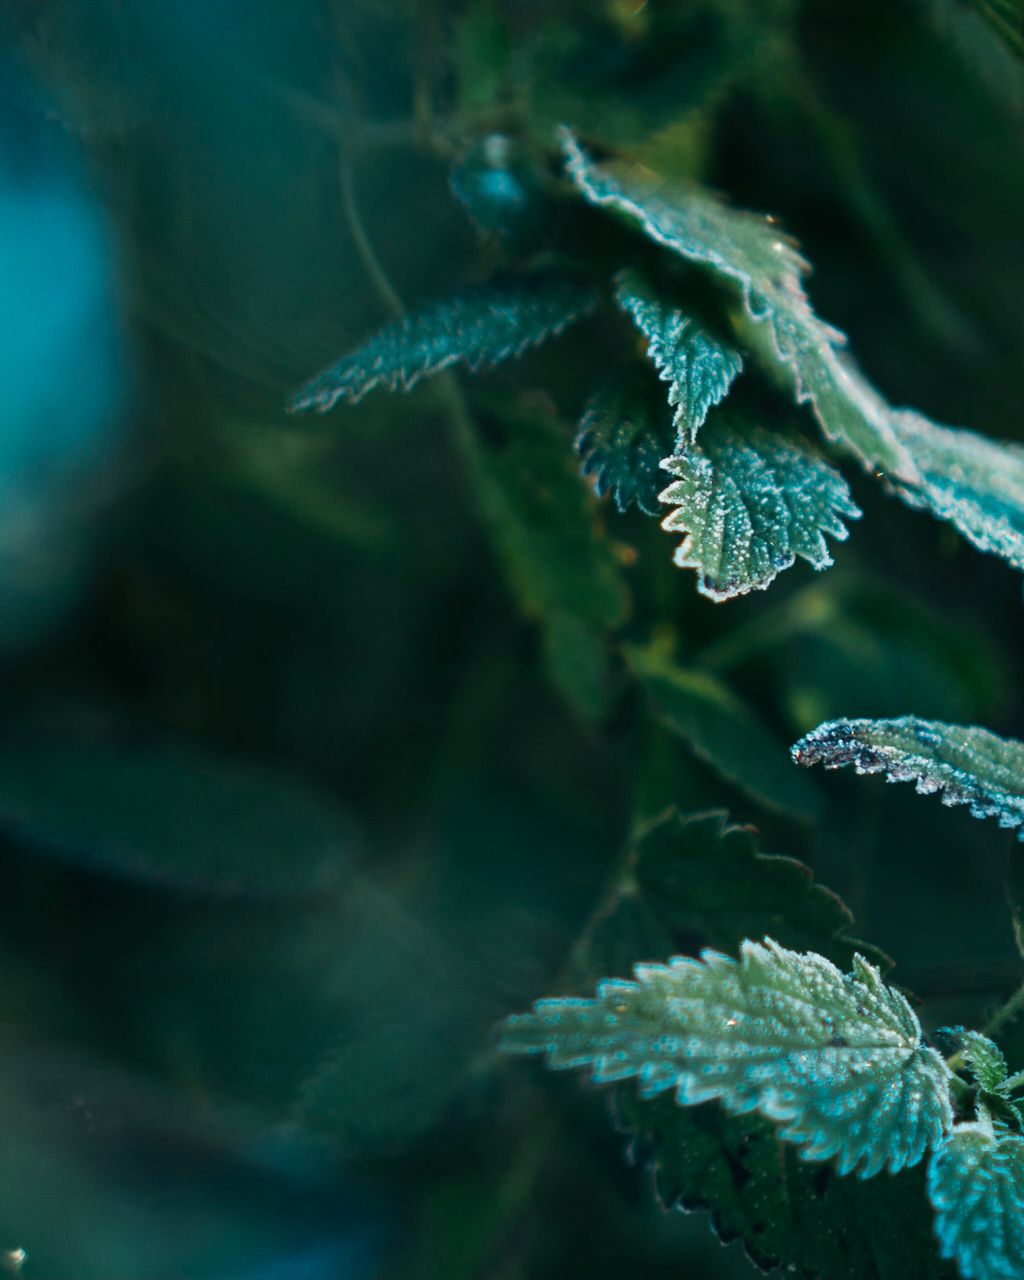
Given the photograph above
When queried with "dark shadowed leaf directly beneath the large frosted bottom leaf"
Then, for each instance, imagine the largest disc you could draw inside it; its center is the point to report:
(785, 1212)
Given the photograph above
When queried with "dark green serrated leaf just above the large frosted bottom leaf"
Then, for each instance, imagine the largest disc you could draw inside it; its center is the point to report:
(703, 876)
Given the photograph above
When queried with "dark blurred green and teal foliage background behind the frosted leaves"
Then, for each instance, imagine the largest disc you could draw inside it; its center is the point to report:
(436, 682)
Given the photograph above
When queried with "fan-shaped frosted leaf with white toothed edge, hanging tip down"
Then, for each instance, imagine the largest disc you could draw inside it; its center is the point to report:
(749, 502)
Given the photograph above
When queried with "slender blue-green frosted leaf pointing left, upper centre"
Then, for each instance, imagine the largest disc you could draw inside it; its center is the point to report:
(482, 327)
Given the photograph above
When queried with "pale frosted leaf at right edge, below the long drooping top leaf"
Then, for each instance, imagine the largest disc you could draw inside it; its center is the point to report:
(975, 483)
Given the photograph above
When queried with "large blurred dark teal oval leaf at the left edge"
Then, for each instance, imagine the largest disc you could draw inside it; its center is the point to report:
(171, 816)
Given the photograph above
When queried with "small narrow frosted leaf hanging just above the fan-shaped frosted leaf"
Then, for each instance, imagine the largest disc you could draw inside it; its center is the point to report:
(698, 368)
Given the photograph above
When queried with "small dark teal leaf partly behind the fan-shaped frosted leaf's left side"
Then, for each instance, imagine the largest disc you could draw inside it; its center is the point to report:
(621, 444)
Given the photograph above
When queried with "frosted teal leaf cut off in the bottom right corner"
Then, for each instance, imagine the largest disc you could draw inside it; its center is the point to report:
(976, 1185)
